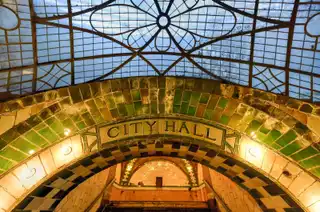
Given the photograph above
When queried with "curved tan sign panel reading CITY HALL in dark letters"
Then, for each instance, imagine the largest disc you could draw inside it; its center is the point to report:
(162, 127)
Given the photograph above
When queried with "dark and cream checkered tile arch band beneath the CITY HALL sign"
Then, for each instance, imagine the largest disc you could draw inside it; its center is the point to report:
(267, 193)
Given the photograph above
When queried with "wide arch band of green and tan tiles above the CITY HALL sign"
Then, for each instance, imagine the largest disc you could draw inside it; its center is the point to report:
(286, 125)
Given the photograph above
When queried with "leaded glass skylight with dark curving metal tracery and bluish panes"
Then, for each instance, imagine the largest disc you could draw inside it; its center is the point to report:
(269, 45)
